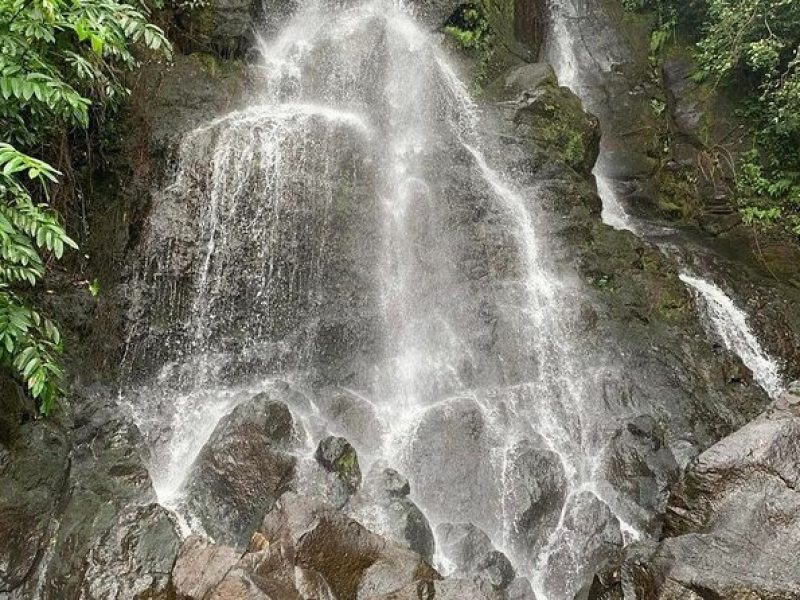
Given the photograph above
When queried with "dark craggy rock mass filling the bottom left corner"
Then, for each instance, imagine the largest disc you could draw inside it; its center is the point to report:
(91, 528)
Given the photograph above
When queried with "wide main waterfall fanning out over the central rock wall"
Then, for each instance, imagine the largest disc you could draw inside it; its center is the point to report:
(347, 235)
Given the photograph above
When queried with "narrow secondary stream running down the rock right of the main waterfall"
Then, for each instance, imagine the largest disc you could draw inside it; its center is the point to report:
(585, 51)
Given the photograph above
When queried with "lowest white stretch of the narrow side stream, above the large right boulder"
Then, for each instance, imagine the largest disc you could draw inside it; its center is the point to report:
(729, 323)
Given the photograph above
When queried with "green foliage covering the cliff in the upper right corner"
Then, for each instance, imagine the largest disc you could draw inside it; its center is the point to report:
(753, 48)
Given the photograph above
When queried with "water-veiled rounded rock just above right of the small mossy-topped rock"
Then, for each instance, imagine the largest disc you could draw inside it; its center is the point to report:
(353, 417)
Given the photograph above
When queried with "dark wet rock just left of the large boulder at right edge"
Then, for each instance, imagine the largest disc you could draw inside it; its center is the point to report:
(640, 466)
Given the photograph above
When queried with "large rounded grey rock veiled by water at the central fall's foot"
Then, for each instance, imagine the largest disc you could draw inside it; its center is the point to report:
(450, 459)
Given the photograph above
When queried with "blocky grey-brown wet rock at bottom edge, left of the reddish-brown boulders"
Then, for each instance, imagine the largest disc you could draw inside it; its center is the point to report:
(133, 559)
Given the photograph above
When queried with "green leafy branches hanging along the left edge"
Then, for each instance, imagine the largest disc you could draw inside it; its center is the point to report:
(59, 61)
